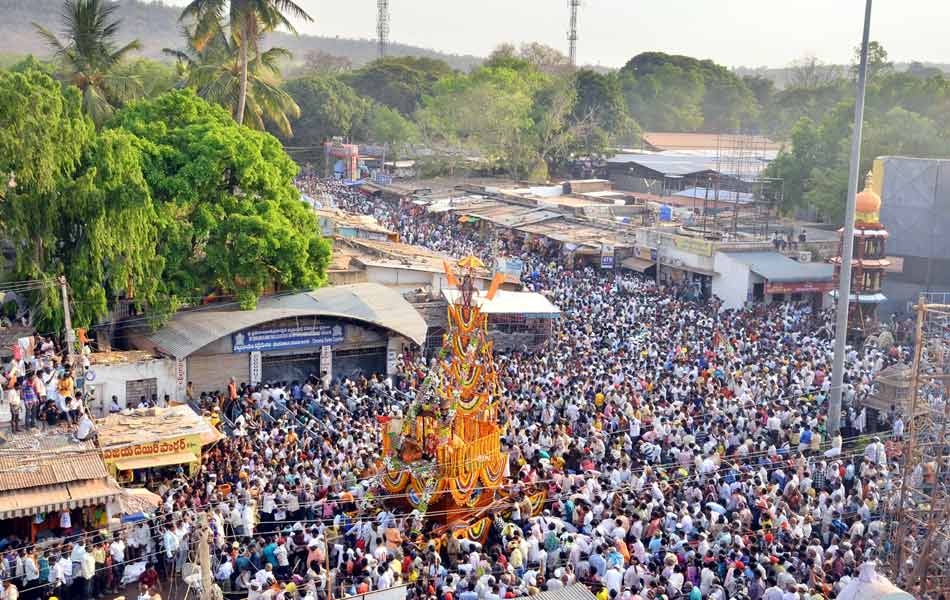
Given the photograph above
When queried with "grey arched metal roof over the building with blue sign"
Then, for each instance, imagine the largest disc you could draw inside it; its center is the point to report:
(368, 302)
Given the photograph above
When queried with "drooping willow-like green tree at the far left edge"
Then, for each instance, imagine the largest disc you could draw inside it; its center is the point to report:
(80, 207)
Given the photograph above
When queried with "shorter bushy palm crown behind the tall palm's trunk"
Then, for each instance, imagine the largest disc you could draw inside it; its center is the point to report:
(214, 70)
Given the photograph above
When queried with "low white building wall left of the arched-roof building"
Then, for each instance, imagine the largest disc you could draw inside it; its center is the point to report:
(113, 380)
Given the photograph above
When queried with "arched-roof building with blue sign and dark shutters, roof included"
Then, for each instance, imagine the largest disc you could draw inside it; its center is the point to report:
(344, 330)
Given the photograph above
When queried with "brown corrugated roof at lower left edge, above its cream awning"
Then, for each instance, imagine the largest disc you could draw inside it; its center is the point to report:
(28, 461)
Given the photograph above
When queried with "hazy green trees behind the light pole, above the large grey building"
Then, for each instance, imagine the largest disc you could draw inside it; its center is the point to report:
(906, 113)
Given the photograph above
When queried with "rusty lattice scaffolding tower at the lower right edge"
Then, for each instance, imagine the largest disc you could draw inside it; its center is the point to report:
(919, 510)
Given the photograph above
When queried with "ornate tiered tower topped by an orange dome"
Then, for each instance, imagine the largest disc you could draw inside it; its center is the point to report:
(869, 260)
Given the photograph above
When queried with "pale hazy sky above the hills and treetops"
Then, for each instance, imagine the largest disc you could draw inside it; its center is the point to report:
(731, 32)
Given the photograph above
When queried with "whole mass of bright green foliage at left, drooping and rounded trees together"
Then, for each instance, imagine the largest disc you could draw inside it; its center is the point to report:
(169, 201)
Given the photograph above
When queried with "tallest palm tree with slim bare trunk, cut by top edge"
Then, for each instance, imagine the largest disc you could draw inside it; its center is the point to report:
(247, 19)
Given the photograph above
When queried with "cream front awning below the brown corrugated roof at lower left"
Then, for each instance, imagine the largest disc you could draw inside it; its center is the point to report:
(31, 501)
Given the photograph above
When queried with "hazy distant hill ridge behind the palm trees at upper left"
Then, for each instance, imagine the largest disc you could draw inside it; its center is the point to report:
(156, 26)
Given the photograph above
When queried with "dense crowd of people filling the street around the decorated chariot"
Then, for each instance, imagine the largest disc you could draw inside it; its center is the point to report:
(683, 450)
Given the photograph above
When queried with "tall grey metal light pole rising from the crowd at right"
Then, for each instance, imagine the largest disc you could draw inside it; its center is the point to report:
(844, 287)
